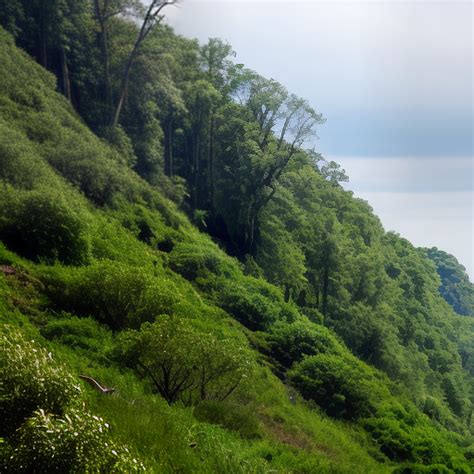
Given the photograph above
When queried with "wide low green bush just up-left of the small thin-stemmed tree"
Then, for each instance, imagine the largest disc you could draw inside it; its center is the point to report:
(114, 293)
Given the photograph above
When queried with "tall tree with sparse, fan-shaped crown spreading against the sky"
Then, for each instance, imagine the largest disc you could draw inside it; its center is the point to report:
(275, 126)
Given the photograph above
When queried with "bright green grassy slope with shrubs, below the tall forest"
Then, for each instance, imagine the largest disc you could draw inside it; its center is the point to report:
(94, 260)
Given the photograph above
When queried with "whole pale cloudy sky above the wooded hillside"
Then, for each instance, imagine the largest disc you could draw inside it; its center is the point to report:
(394, 80)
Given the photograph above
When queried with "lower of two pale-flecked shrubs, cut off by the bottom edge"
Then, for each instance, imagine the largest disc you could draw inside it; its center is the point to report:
(76, 442)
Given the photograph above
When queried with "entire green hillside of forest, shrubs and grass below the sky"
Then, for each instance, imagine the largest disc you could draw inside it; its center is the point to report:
(169, 231)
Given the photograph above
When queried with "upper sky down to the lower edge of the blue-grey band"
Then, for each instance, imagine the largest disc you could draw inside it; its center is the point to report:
(391, 77)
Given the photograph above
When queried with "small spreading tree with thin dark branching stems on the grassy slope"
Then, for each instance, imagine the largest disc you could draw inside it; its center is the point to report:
(185, 362)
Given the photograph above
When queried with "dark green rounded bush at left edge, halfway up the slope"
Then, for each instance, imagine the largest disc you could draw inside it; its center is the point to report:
(41, 225)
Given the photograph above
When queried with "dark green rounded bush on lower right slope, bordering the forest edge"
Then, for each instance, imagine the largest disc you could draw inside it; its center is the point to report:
(340, 387)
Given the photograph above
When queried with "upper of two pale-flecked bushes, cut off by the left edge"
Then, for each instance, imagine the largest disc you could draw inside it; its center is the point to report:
(30, 379)
